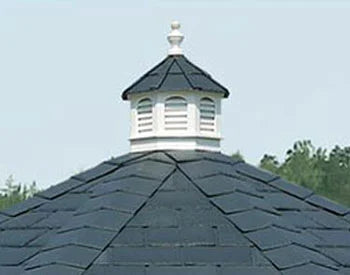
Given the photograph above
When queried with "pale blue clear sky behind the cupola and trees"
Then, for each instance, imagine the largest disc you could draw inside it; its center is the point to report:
(64, 65)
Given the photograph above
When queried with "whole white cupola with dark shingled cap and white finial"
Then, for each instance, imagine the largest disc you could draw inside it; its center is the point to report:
(176, 105)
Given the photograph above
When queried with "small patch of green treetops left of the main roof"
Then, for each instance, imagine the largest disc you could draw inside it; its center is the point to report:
(14, 193)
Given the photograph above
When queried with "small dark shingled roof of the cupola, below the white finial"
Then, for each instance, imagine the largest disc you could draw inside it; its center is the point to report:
(175, 73)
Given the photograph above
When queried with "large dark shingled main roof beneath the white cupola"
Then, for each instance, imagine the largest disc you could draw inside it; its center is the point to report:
(175, 212)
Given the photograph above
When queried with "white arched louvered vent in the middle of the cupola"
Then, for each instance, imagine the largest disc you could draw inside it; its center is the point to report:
(176, 114)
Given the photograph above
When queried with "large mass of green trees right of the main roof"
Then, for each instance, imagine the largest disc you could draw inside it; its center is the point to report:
(326, 173)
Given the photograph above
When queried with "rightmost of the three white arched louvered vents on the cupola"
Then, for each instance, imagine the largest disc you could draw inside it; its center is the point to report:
(207, 115)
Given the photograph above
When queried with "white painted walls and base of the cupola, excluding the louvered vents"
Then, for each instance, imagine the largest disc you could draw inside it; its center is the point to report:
(161, 138)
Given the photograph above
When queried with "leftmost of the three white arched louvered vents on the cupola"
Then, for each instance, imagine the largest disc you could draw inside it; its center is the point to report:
(144, 116)
